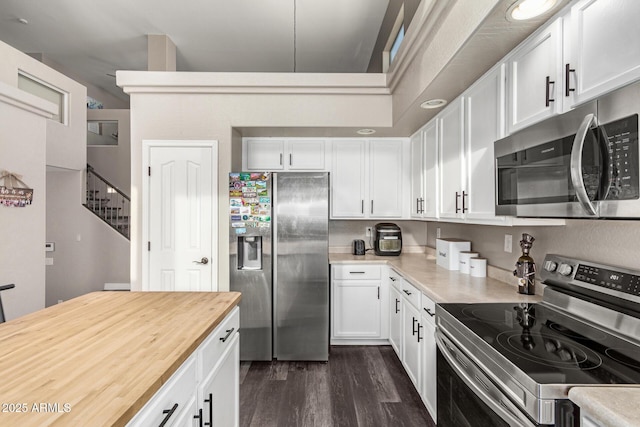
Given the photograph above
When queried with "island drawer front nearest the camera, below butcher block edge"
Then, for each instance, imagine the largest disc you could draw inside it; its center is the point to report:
(178, 392)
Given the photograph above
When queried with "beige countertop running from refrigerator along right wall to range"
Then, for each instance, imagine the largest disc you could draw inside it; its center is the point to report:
(438, 283)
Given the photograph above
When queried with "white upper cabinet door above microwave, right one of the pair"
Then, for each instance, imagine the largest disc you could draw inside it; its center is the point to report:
(605, 52)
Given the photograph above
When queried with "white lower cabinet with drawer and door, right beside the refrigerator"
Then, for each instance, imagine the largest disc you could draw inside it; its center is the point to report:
(359, 304)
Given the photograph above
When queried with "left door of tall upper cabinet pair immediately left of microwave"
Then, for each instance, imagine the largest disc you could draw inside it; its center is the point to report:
(451, 160)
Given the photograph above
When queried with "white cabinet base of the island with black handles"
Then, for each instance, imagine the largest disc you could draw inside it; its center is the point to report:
(205, 387)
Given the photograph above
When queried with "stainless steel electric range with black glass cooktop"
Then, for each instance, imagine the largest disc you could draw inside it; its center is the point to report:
(512, 364)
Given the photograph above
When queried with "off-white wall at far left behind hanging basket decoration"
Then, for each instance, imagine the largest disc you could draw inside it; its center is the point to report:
(23, 130)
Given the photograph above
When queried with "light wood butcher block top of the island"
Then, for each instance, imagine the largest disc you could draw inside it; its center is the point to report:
(97, 359)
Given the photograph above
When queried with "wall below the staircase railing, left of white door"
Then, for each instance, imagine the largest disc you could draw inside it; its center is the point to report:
(88, 253)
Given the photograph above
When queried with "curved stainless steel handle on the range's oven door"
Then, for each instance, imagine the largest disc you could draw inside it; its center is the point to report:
(502, 406)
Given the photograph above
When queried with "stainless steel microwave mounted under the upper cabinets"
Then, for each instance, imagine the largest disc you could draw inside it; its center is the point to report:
(581, 164)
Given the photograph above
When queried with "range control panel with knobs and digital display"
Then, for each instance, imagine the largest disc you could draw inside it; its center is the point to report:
(617, 281)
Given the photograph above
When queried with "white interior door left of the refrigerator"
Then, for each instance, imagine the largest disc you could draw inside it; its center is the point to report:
(181, 217)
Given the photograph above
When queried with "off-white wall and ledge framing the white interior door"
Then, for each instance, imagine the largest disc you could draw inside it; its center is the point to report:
(183, 106)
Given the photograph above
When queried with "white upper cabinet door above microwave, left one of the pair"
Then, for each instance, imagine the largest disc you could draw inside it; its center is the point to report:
(535, 79)
